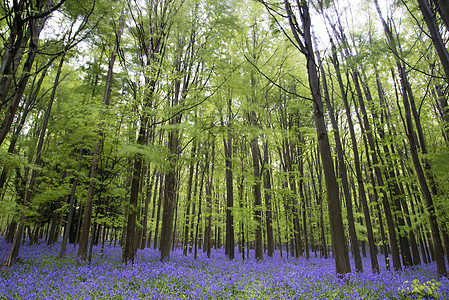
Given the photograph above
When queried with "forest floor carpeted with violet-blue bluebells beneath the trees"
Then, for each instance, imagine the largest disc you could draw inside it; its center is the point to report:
(41, 274)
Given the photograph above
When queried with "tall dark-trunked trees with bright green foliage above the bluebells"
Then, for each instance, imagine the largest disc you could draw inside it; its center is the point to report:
(316, 128)
